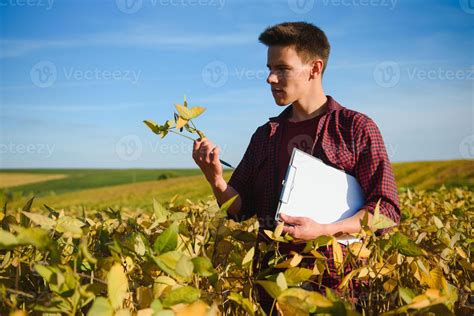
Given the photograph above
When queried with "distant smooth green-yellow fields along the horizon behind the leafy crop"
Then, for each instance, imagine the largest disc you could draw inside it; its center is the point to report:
(137, 188)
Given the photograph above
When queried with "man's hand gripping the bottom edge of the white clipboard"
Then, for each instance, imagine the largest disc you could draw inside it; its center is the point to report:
(302, 227)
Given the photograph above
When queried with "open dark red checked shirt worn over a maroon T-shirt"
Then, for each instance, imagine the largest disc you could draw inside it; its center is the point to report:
(345, 139)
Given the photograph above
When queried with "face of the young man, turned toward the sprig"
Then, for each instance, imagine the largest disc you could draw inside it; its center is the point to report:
(289, 76)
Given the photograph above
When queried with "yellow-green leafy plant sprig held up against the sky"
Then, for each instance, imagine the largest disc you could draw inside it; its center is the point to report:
(183, 120)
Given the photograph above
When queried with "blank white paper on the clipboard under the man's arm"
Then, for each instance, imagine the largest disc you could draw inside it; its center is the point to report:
(316, 190)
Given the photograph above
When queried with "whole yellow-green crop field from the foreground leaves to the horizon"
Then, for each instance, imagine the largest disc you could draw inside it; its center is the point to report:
(154, 242)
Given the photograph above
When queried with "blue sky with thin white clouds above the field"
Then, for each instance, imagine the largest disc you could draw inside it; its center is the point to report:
(78, 77)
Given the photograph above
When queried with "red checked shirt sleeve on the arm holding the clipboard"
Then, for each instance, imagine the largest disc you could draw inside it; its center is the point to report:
(374, 172)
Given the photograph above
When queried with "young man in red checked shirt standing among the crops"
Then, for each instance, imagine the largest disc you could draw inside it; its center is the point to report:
(297, 56)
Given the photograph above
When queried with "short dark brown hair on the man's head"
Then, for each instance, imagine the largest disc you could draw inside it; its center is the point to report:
(309, 40)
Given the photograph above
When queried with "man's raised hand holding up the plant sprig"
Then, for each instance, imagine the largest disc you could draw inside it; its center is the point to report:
(206, 156)
